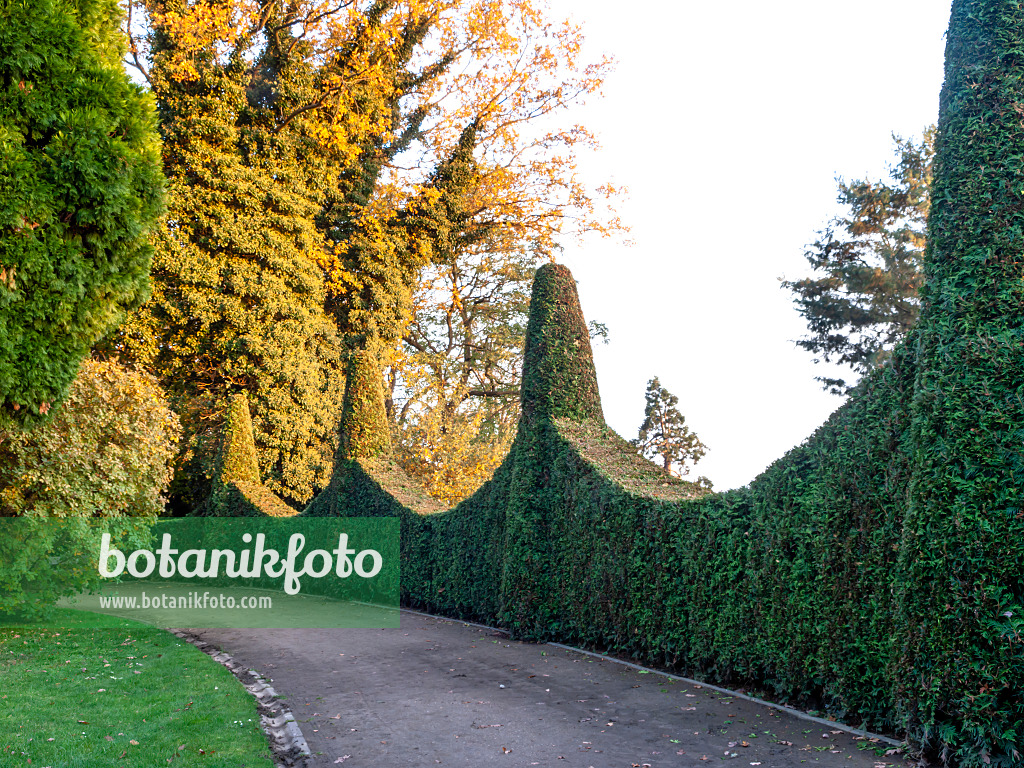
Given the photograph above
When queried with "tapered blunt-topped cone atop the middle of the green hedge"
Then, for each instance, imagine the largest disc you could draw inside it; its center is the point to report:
(559, 376)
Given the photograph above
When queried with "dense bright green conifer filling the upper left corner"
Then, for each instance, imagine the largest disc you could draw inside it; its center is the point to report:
(80, 190)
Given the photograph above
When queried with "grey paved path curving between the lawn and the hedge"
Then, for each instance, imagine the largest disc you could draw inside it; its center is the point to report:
(442, 693)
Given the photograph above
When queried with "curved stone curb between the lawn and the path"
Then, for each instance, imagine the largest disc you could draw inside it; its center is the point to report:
(287, 743)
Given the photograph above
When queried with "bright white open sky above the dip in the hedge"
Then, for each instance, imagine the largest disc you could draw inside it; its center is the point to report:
(730, 122)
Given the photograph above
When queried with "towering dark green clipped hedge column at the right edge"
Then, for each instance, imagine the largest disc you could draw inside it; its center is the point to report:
(964, 535)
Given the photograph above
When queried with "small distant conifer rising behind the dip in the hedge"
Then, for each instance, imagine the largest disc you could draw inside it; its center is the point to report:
(664, 436)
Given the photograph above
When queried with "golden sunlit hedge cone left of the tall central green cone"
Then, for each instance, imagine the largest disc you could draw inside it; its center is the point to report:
(365, 431)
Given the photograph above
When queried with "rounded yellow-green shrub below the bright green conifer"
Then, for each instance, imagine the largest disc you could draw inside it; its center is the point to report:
(105, 455)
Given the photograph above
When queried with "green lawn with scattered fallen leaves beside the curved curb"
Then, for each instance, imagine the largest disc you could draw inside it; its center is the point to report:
(124, 696)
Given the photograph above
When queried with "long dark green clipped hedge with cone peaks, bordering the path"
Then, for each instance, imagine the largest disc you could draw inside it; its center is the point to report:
(875, 571)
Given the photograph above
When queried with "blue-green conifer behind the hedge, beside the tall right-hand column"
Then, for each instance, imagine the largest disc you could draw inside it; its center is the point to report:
(868, 267)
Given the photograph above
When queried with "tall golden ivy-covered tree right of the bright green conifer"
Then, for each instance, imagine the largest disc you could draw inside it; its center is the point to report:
(239, 302)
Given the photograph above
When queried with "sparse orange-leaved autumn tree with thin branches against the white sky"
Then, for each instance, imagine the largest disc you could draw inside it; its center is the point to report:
(501, 71)
